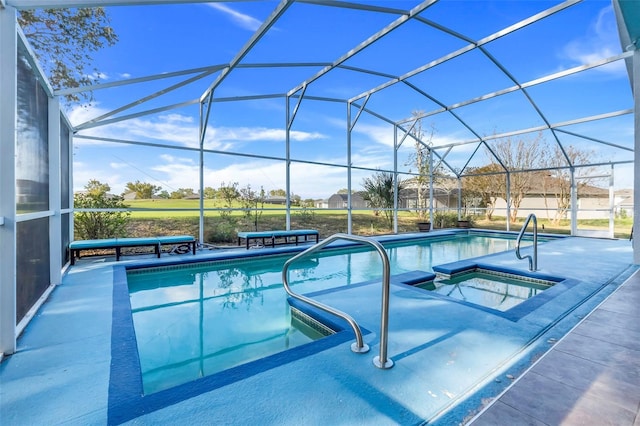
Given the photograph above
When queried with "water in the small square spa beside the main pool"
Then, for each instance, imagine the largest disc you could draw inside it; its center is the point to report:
(491, 290)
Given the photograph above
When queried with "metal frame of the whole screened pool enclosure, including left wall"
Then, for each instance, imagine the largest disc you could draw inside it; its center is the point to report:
(357, 106)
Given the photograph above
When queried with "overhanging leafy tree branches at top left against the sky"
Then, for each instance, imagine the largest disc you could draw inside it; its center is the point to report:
(64, 41)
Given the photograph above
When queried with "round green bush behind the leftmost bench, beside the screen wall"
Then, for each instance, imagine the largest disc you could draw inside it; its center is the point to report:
(90, 225)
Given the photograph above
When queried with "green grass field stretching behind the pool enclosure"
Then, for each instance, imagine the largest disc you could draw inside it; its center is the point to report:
(151, 218)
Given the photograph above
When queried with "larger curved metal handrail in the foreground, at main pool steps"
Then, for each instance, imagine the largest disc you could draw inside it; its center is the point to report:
(358, 346)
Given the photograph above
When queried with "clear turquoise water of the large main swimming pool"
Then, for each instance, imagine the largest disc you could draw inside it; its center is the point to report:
(195, 320)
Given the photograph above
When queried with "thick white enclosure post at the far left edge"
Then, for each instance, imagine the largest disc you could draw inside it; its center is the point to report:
(8, 94)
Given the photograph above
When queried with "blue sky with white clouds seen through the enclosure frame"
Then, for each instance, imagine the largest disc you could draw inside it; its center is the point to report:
(163, 39)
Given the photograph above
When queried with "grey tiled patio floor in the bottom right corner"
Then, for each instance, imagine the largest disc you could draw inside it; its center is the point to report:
(592, 376)
